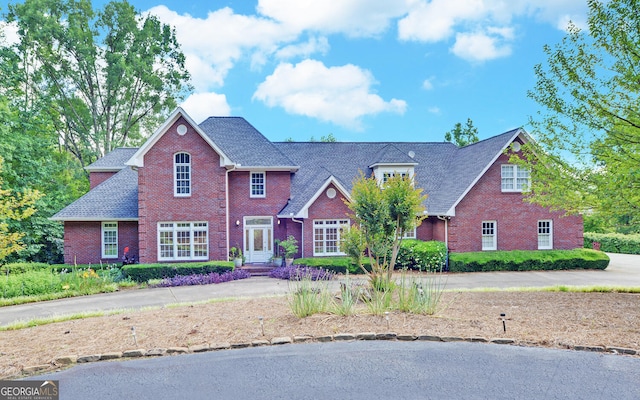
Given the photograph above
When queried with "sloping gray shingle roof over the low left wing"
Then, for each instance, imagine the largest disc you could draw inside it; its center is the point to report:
(114, 199)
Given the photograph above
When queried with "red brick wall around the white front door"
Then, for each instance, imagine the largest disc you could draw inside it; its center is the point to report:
(241, 204)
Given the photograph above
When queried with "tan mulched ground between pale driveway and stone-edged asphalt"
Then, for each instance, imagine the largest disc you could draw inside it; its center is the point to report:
(560, 320)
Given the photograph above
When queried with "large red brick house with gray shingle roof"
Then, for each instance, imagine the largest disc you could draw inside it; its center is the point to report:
(191, 192)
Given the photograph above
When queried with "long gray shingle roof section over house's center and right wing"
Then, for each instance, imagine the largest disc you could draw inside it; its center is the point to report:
(442, 170)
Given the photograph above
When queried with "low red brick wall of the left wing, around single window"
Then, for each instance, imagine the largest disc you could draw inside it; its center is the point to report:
(83, 241)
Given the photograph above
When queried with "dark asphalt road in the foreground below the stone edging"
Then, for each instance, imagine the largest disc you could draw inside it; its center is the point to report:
(361, 370)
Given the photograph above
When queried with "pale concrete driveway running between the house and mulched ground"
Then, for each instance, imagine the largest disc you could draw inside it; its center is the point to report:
(624, 270)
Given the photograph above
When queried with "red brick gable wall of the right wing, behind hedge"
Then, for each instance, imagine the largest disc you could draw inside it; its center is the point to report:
(517, 221)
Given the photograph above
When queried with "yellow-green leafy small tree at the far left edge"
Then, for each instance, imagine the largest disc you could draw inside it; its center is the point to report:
(14, 207)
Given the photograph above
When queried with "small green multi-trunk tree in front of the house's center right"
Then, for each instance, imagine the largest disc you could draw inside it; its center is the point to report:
(382, 213)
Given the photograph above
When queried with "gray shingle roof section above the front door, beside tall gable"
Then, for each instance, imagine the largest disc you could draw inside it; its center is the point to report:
(243, 144)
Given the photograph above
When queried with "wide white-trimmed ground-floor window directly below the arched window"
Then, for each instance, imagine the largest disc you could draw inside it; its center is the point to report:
(183, 241)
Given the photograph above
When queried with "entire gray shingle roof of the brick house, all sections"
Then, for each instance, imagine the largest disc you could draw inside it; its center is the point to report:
(444, 171)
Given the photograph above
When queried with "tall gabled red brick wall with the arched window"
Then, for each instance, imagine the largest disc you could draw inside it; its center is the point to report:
(156, 201)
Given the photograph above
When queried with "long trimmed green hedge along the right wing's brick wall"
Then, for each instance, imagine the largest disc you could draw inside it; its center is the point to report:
(534, 260)
